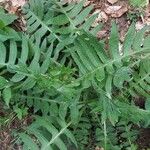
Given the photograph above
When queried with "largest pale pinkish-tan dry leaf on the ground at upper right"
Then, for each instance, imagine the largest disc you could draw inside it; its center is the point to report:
(116, 11)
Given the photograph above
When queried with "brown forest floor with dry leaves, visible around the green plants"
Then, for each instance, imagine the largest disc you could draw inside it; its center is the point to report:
(120, 11)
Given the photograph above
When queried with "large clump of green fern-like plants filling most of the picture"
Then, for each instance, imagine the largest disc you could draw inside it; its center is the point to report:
(74, 88)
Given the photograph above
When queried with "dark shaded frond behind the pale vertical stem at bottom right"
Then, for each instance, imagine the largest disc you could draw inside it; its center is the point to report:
(122, 135)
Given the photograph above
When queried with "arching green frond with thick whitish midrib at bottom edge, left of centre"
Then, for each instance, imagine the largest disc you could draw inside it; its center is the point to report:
(46, 135)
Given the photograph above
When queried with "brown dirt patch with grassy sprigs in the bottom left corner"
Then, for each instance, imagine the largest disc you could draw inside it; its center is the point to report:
(7, 140)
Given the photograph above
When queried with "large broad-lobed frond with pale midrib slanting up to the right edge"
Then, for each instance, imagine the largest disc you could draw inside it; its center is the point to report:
(112, 66)
